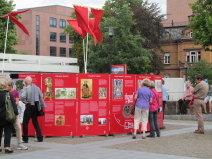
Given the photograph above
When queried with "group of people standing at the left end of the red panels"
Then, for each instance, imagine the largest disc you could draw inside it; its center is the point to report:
(25, 104)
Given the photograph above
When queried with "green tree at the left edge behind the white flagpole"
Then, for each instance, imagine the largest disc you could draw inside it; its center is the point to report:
(6, 7)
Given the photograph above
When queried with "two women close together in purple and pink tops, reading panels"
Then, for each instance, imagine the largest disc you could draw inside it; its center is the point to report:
(146, 108)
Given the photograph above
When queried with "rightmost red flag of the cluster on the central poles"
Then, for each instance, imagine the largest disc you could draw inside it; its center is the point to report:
(96, 26)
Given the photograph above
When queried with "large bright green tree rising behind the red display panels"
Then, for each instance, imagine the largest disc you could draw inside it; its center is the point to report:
(126, 47)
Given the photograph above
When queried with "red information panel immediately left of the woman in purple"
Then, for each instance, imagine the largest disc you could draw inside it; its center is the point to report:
(122, 97)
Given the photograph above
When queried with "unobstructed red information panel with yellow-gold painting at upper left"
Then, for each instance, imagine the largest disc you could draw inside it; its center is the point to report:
(93, 104)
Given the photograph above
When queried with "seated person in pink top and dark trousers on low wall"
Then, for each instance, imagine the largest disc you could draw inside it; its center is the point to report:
(188, 95)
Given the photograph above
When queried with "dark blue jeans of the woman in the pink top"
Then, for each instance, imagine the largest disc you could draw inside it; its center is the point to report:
(153, 117)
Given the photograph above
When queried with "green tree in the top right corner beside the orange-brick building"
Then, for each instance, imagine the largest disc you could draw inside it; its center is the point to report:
(201, 22)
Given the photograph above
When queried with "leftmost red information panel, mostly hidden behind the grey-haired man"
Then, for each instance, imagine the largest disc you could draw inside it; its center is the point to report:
(36, 79)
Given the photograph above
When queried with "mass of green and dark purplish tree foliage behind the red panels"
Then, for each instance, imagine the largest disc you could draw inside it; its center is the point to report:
(137, 33)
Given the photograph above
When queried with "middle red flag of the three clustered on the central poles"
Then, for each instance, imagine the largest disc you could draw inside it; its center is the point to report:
(83, 20)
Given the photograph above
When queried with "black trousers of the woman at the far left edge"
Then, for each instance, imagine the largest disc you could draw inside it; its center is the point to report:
(7, 128)
